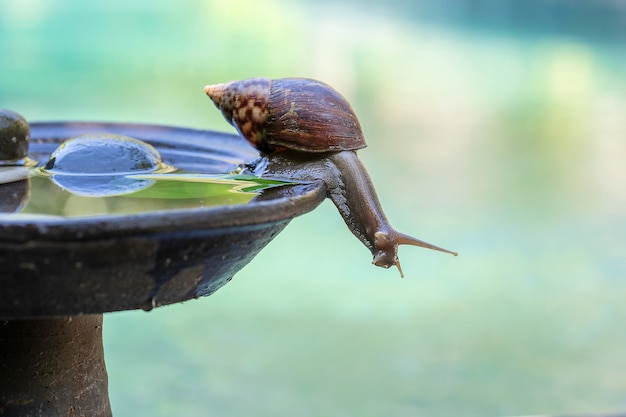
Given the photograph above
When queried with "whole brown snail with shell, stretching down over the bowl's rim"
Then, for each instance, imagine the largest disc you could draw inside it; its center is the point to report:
(306, 131)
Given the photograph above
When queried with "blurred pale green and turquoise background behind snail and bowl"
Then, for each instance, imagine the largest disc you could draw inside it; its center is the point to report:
(495, 128)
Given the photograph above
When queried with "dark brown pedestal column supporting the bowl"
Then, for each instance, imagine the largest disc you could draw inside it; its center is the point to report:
(53, 368)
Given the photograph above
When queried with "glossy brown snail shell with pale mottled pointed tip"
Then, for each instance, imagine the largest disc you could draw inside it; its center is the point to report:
(289, 113)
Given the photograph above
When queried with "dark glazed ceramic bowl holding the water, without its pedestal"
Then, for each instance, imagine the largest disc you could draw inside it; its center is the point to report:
(88, 265)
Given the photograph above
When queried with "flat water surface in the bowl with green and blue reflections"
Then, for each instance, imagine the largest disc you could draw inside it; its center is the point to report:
(43, 195)
